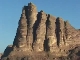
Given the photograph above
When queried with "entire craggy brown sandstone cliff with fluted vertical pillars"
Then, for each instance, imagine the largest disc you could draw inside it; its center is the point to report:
(41, 33)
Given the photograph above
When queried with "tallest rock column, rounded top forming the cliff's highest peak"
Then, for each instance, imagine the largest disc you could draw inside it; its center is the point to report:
(31, 18)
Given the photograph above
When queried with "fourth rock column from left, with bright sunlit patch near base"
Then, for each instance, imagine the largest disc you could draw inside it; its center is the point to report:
(50, 33)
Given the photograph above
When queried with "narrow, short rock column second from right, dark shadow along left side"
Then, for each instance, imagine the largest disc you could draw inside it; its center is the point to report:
(60, 32)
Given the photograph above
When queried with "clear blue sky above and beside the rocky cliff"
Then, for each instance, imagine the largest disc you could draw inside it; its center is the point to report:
(10, 12)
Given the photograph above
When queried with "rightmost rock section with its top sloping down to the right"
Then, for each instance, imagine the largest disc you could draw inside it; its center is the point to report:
(72, 35)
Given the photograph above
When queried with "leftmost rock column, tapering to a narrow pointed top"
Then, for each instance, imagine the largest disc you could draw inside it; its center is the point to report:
(20, 38)
